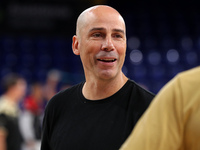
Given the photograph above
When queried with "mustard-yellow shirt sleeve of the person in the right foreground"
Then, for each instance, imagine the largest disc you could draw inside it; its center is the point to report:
(161, 127)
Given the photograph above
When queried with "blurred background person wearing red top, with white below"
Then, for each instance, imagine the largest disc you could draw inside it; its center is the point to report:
(31, 117)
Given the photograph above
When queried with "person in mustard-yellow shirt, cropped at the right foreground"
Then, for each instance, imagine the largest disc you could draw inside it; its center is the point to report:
(172, 120)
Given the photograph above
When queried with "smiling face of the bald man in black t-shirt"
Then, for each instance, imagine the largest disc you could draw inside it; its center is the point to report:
(102, 44)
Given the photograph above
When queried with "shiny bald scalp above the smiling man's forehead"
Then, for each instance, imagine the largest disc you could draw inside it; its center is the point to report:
(96, 11)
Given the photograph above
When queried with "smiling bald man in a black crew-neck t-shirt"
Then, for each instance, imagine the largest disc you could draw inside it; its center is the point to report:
(100, 112)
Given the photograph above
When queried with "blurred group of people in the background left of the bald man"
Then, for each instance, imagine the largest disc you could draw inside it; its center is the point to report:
(22, 107)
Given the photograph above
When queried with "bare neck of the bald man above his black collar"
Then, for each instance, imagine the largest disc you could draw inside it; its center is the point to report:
(100, 89)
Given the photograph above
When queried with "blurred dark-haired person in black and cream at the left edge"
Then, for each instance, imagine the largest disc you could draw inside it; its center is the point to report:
(14, 89)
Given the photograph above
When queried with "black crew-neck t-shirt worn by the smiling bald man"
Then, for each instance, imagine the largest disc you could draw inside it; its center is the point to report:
(72, 122)
